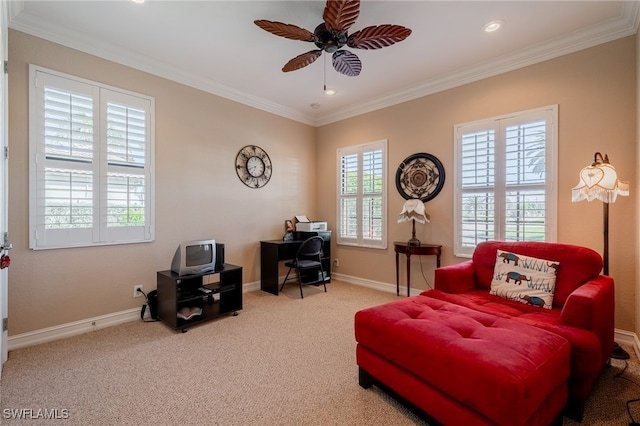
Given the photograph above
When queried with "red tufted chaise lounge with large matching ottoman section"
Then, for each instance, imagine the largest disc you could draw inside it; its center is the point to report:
(462, 354)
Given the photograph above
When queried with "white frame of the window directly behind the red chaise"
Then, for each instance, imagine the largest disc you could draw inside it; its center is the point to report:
(499, 124)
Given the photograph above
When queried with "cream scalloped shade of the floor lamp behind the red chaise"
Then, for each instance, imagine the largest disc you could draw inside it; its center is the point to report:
(599, 181)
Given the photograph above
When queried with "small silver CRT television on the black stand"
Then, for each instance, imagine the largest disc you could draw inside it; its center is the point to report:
(194, 257)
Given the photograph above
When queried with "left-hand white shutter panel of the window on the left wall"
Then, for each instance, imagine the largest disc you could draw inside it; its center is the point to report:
(63, 114)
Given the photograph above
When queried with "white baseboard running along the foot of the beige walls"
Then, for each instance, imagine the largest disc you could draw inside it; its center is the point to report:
(62, 331)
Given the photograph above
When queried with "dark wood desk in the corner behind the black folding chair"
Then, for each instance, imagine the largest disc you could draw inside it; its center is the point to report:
(272, 252)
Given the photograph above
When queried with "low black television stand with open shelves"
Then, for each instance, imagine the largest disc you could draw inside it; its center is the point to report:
(187, 300)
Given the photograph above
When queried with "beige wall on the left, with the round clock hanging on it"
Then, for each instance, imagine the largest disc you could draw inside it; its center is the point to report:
(198, 194)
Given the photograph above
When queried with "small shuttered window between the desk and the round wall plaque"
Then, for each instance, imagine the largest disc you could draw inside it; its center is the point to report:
(362, 195)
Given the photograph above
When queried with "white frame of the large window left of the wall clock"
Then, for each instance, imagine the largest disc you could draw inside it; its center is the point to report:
(100, 170)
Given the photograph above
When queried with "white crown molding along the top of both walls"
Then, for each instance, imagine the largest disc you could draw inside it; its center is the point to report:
(624, 25)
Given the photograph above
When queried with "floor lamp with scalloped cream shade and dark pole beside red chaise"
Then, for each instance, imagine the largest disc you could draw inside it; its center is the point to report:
(600, 181)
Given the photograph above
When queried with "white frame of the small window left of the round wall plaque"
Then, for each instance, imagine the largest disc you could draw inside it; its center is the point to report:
(359, 240)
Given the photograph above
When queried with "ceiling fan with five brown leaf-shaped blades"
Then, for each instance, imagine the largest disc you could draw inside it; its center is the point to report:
(332, 35)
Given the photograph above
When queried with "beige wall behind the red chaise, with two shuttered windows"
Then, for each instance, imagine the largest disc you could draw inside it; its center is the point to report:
(595, 90)
